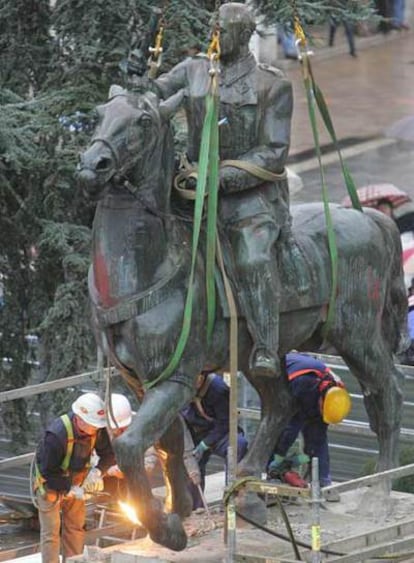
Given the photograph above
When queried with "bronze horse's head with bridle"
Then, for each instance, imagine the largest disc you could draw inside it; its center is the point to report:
(132, 146)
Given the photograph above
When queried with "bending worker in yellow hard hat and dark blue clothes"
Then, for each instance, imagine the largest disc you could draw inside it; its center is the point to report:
(320, 399)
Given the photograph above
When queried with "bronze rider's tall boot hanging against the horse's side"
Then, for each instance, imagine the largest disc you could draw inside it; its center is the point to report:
(260, 299)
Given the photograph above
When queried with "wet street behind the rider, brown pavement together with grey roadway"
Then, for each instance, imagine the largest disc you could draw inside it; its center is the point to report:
(365, 96)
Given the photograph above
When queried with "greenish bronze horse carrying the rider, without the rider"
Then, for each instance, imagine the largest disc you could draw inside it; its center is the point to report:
(141, 257)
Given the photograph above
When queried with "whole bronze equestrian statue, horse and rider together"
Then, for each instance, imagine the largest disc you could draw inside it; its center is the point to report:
(138, 281)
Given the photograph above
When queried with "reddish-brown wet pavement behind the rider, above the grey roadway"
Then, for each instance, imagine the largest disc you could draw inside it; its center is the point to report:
(365, 94)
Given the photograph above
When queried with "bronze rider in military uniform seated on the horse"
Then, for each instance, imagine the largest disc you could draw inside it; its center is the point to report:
(255, 110)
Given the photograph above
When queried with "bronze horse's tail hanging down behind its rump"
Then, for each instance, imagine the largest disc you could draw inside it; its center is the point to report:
(394, 317)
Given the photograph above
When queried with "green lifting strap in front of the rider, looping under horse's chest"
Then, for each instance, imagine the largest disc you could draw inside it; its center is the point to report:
(207, 170)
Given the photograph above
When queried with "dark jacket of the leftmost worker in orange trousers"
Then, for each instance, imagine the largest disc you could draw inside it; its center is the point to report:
(52, 450)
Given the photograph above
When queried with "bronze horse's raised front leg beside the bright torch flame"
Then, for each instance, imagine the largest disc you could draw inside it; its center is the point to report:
(156, 414)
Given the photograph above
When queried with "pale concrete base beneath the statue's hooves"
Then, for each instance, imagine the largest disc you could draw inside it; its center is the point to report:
(353, 526)
